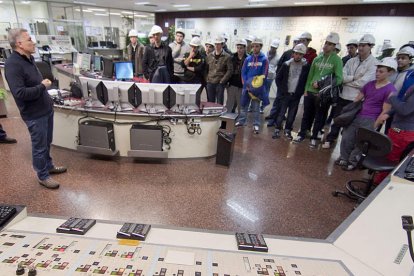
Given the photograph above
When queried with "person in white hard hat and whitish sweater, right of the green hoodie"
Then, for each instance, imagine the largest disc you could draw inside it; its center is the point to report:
(358, 71)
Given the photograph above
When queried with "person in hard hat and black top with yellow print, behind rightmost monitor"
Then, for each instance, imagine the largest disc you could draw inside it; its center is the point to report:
(194, 63)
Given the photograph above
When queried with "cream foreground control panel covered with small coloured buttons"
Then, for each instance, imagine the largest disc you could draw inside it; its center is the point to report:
(77, 255)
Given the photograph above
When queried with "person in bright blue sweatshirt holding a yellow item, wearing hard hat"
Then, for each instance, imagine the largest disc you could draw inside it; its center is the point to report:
(254, 73)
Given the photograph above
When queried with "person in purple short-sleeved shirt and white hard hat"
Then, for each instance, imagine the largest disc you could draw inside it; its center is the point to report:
(375, 95)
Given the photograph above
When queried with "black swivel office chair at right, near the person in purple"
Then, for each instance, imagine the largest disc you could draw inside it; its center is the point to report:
(375, 146)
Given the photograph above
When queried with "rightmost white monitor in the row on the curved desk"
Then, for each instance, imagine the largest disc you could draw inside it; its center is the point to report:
(185, 98)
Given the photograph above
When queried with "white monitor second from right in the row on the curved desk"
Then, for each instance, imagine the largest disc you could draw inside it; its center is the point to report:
(155, 97)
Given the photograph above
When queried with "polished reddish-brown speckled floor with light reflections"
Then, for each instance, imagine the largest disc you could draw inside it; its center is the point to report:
(272, 187)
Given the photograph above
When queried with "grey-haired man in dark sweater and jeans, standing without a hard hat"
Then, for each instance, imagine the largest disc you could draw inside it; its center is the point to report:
(29, 90)
